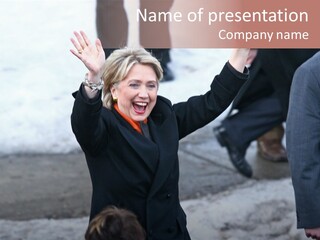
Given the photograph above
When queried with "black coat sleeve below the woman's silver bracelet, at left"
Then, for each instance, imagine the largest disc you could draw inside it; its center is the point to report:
(86, 122)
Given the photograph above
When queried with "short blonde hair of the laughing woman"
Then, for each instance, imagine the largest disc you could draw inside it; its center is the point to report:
(119, 63)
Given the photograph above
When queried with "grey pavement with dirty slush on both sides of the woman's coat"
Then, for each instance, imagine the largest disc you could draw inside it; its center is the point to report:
(48, 196)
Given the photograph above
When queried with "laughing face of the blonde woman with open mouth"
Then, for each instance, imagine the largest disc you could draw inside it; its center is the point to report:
(137, 93)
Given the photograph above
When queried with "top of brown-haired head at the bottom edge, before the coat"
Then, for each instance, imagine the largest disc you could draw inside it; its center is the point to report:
(114, 223)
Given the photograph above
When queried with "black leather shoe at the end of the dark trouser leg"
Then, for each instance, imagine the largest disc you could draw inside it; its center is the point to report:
(236, 156)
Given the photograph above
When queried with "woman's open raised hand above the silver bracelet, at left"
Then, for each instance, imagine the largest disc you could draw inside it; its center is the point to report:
(92, 55)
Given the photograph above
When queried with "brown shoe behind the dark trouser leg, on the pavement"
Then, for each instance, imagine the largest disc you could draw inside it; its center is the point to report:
(270, 145)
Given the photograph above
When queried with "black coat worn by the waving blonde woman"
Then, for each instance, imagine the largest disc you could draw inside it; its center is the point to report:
(129, 170)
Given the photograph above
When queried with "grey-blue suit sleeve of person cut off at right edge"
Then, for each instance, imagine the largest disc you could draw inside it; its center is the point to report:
(303, 142)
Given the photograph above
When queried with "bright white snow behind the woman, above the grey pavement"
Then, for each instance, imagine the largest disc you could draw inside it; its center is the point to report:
(38, 73)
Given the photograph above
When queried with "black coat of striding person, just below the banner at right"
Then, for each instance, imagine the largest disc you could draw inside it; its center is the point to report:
(271, 73)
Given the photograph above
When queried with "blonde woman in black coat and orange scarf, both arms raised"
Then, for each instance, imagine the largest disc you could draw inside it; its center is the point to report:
(130, 138)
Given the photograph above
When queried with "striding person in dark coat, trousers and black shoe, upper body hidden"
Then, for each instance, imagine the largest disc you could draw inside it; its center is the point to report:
(262, 107)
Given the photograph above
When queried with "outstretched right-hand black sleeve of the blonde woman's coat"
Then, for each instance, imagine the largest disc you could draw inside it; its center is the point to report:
(200, 110)
